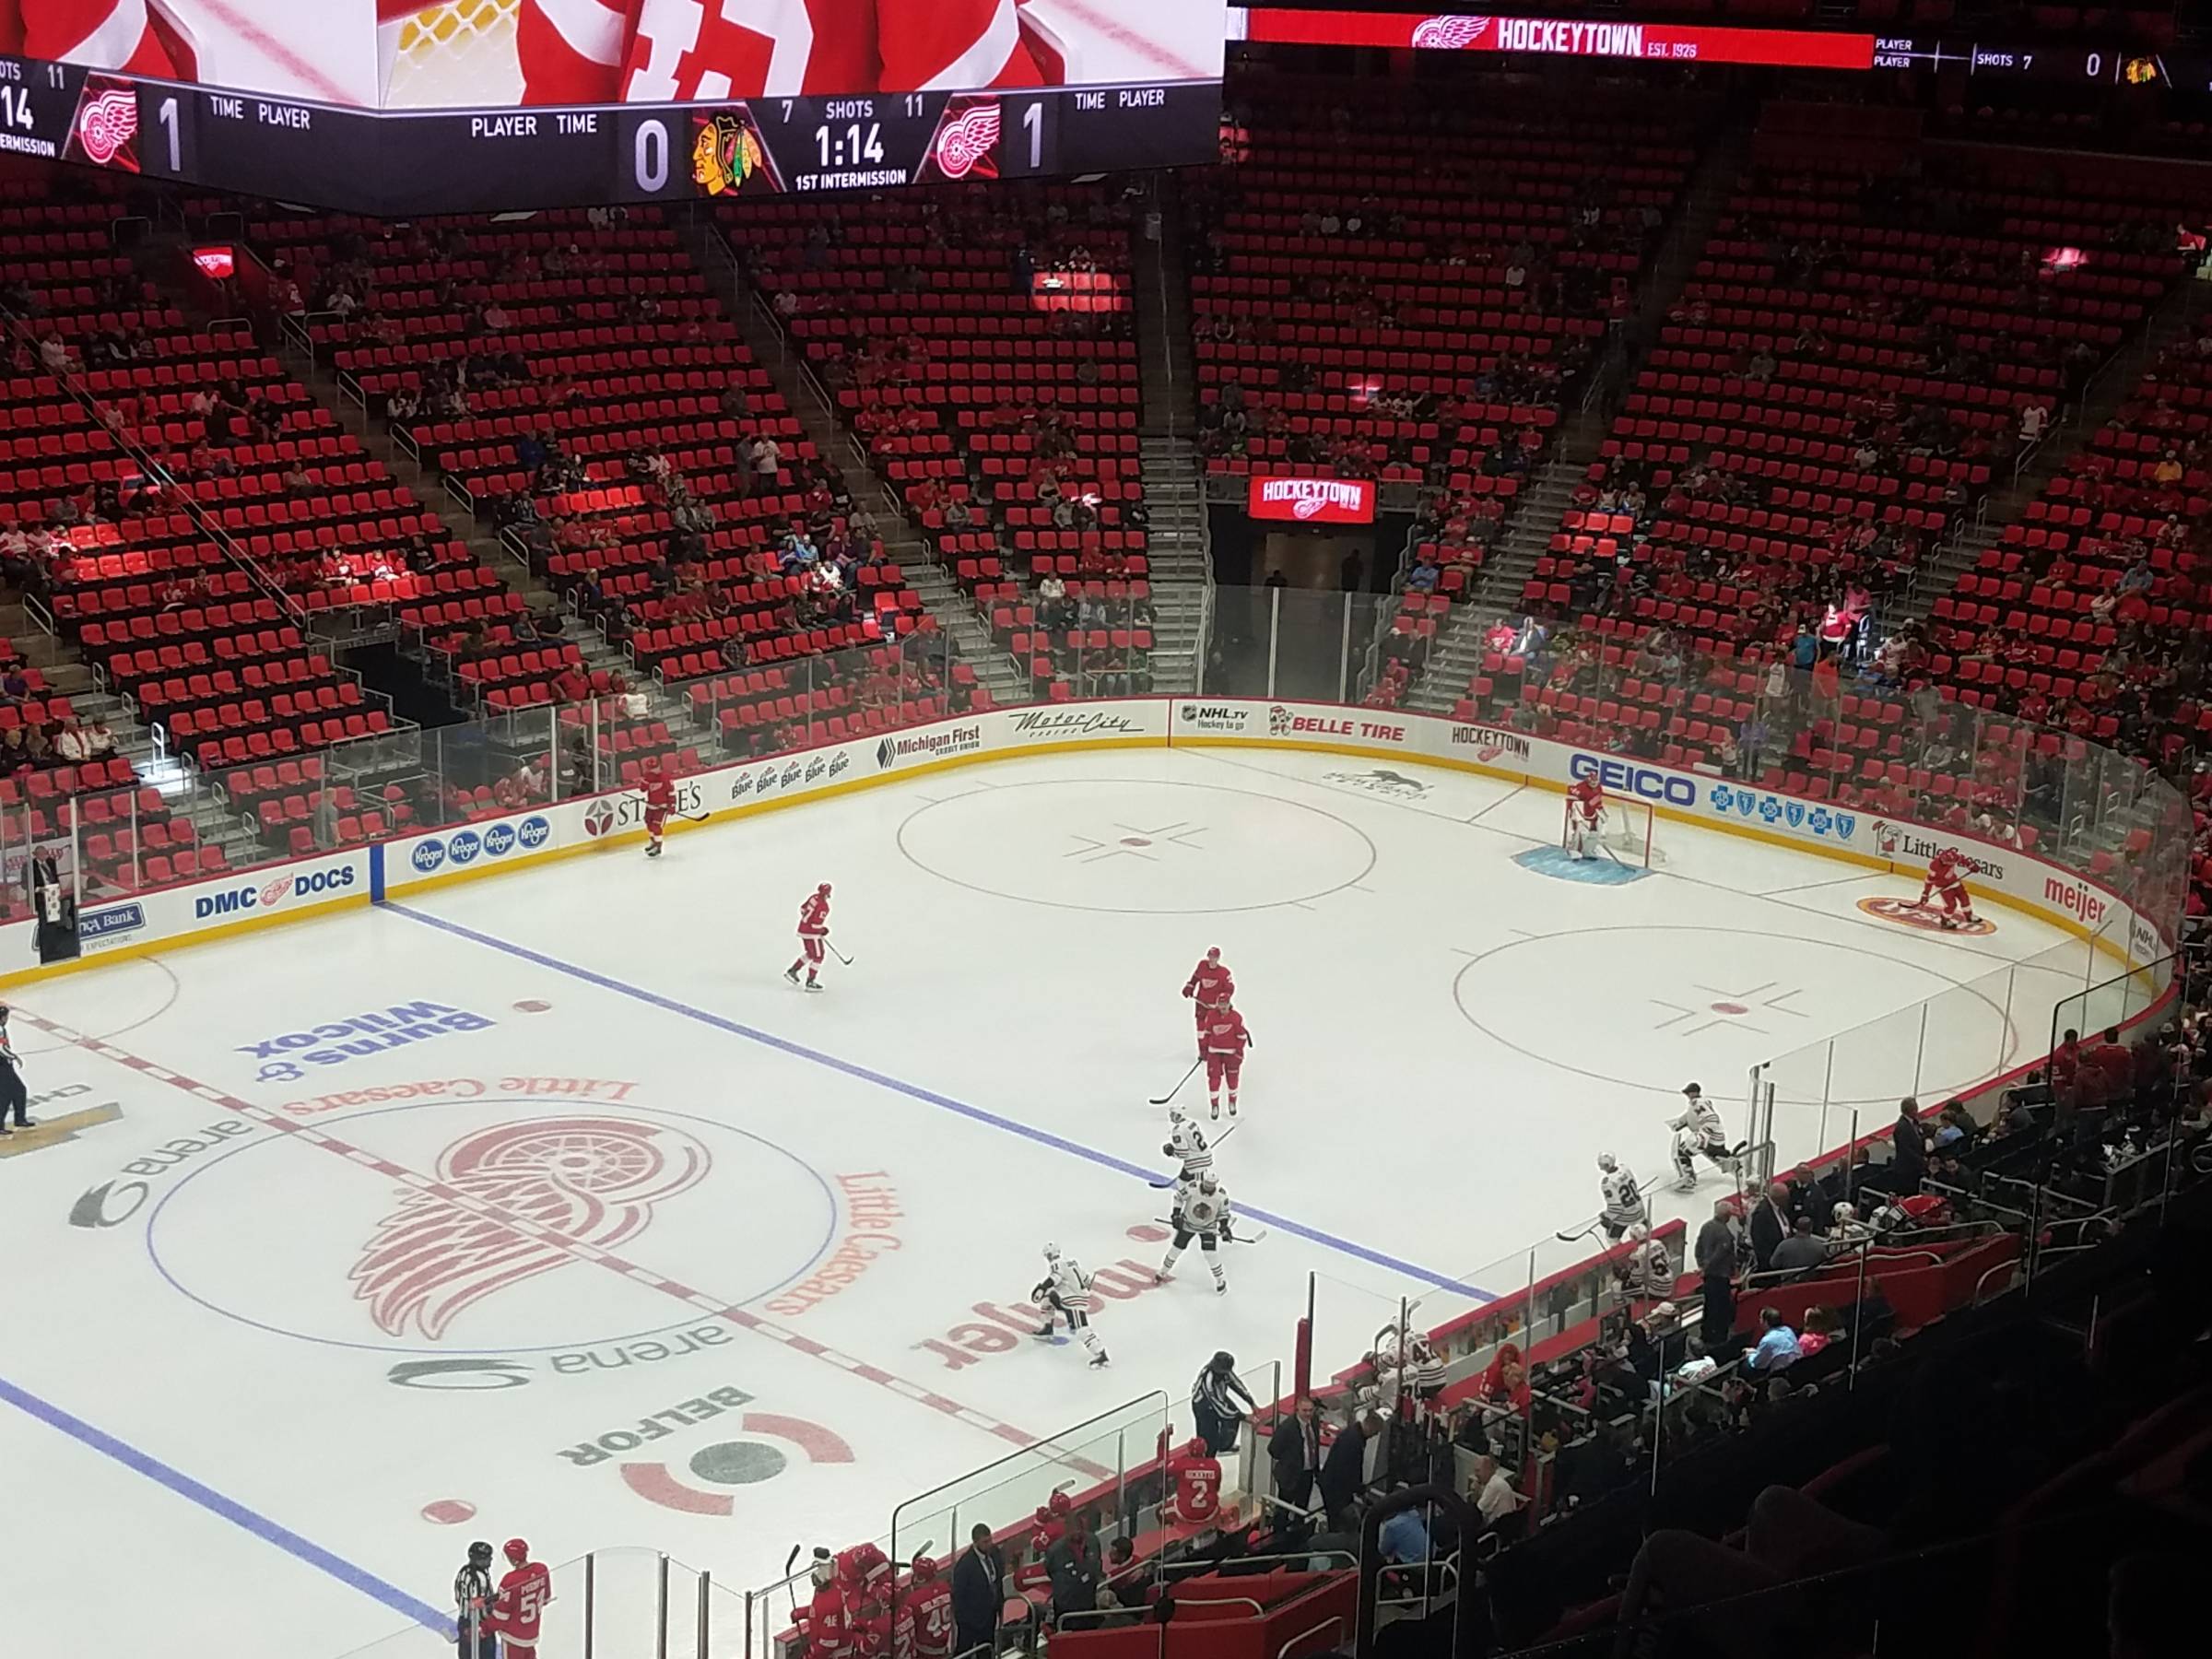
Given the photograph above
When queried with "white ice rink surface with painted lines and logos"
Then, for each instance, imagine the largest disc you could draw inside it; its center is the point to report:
(634, 1244)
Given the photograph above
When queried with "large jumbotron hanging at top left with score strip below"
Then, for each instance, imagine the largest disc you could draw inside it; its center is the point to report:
(404, 107)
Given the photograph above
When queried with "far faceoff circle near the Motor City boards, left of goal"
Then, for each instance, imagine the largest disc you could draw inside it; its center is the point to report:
(1136, 846)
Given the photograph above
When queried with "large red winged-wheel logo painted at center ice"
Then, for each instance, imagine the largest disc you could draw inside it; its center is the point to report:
(592, 1180)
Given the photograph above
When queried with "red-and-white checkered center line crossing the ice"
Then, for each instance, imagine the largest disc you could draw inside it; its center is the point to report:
(576, 1249)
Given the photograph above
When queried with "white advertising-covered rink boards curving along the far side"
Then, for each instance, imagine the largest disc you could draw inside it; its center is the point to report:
(191, 912)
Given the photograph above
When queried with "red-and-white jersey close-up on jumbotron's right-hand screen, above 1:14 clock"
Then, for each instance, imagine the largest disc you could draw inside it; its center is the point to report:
(662, 52)
